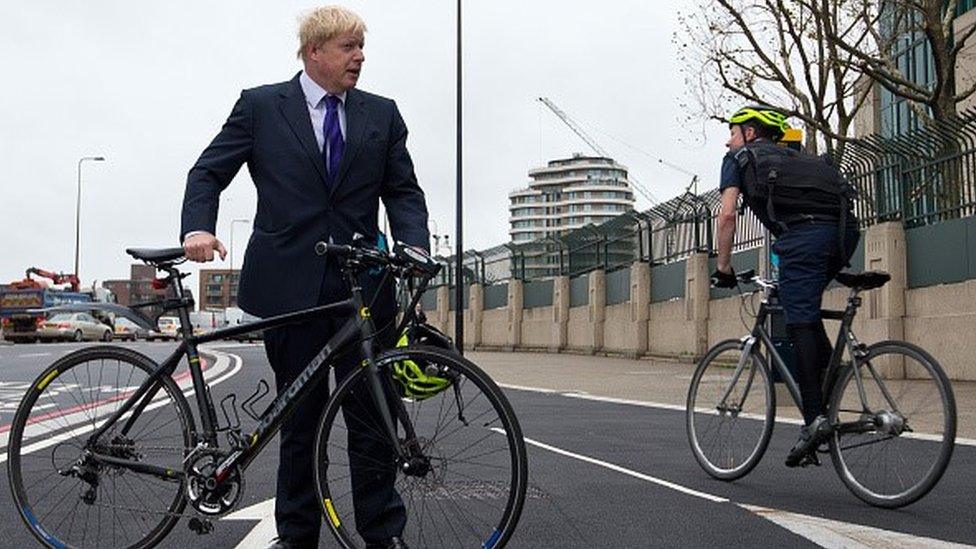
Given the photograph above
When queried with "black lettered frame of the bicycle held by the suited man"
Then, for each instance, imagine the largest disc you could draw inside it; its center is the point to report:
(360, 326)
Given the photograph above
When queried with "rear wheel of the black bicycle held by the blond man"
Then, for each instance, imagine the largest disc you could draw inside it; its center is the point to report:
(60, 436)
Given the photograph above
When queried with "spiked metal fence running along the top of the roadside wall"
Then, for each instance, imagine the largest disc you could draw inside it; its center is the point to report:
(920, 178)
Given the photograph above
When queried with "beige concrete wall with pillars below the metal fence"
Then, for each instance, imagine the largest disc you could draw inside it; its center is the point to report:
(939, 318)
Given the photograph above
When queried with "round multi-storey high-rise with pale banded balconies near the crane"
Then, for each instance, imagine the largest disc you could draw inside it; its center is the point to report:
(567, 194)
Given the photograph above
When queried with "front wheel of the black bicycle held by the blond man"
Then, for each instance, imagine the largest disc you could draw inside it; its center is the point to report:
(464, 485)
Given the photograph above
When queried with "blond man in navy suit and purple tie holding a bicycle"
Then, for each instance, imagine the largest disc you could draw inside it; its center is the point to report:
(322, 154)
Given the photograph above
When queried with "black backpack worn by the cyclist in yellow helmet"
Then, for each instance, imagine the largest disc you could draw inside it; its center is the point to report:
(795, 185)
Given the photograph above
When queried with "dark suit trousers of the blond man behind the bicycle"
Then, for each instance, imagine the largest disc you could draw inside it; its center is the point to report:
(379, 511)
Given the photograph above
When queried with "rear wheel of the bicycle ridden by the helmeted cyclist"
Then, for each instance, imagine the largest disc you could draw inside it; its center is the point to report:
(894, 445)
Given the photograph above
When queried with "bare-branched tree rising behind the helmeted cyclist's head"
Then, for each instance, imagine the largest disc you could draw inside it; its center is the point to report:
(776, 52)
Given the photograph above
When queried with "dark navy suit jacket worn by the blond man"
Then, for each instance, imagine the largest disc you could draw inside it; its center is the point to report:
(270, 130)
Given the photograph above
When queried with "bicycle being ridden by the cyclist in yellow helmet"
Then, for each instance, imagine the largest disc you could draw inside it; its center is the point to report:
(890, 406)
